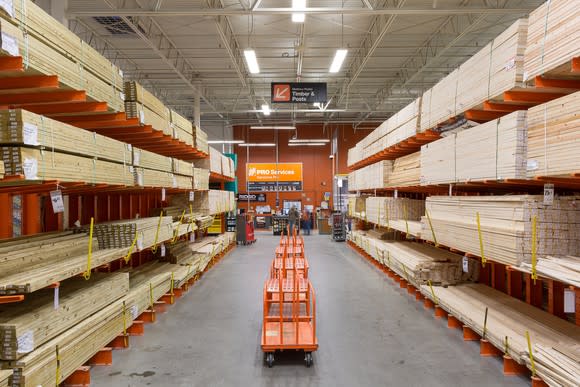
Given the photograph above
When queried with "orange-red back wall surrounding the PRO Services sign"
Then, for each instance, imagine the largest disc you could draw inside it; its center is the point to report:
(317, 167)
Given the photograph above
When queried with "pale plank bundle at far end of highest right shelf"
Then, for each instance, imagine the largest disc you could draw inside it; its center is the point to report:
(400, 126)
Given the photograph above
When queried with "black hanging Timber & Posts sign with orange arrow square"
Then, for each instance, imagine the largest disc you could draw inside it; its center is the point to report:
(298, 92)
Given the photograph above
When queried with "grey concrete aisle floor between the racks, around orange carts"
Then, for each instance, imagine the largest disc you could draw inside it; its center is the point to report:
(370, 332)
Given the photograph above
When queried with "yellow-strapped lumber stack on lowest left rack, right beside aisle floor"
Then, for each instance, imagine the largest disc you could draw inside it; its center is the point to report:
(78, 344)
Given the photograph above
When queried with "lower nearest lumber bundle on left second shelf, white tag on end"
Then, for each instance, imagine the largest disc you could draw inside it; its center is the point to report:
(38, 165)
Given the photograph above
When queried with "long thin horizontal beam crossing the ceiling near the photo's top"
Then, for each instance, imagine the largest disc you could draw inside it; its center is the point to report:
(427, 11)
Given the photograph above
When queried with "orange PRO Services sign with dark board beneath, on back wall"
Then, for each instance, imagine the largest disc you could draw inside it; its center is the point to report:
(272, 177)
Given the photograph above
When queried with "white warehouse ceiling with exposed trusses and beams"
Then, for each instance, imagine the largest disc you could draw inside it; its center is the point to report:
(397, 50)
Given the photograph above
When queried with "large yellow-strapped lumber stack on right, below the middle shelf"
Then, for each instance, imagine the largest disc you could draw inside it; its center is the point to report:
(505, 224)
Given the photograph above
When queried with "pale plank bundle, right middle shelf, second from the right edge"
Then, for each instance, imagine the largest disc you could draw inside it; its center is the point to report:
(492, 151)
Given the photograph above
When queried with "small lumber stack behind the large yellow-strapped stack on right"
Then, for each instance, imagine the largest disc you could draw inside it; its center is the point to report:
(397, 213)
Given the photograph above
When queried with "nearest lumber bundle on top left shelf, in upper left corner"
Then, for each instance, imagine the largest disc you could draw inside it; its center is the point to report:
(51, 48)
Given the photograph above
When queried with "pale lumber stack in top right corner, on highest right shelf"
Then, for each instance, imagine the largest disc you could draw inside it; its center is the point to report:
(553, 38)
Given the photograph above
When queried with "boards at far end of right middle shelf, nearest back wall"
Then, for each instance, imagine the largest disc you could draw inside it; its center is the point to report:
(402, 172)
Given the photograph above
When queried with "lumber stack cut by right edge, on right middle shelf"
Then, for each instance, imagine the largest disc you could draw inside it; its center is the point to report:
(553, 137)
